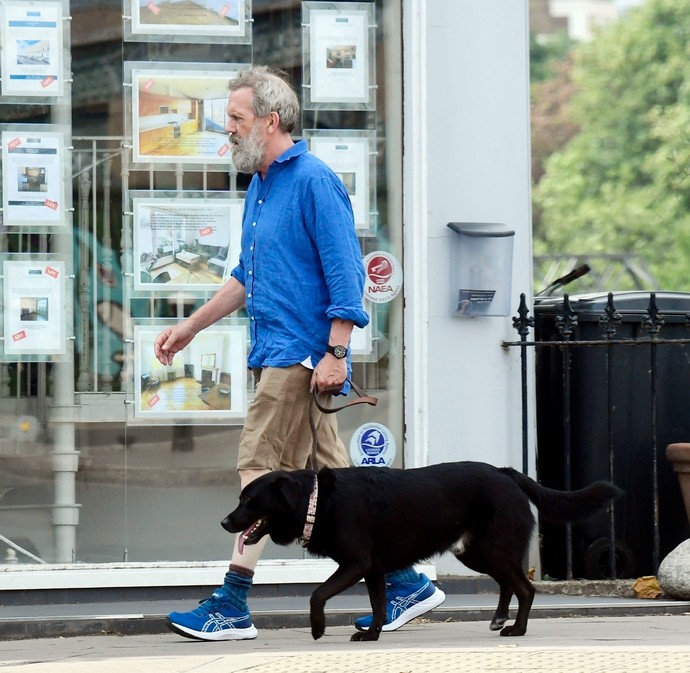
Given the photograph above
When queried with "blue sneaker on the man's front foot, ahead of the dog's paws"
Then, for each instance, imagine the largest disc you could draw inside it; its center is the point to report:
(215, 619)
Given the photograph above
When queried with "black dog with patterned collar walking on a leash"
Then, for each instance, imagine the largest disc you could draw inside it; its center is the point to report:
(373, 521)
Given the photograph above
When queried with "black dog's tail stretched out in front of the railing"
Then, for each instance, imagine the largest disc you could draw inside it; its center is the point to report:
(565, 506)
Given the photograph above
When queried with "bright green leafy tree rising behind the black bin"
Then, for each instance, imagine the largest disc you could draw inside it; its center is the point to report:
(622, 184)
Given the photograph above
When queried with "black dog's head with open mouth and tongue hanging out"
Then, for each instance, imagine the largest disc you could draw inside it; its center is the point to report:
(273, 504)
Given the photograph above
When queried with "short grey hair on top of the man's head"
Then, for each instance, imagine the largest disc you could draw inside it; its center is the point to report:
(272, 93)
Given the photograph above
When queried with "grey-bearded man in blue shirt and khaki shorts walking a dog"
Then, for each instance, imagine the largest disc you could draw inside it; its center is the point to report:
(300, 277)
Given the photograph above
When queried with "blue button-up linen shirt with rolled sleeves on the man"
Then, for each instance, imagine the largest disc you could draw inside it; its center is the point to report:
(300, 264)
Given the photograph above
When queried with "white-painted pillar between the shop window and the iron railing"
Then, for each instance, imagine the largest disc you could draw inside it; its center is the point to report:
(467, 159)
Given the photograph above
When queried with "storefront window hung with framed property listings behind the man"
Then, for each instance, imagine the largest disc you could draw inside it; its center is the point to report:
(91, 468)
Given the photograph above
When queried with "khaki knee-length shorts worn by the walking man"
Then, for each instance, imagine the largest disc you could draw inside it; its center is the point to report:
(277, 434)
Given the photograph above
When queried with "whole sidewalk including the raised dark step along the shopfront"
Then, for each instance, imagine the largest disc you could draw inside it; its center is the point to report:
(565, 633)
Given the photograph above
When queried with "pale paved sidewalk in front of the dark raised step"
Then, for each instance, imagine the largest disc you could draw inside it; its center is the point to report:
(574, 645)
